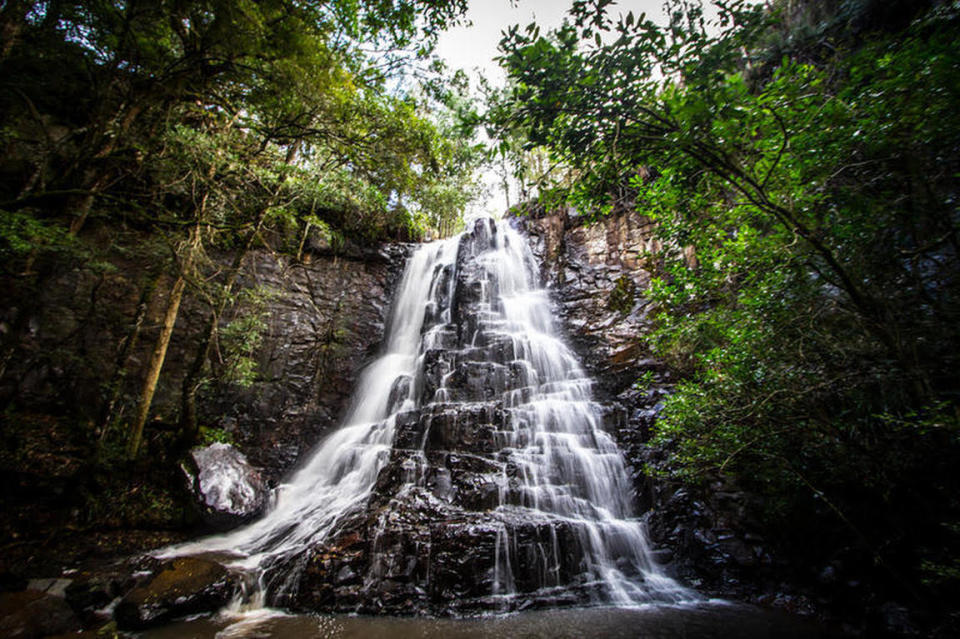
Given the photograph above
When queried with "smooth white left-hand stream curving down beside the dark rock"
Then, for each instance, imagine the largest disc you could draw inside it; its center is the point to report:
(339, 476)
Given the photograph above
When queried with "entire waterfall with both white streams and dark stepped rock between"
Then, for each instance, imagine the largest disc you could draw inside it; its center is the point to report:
(472, 470)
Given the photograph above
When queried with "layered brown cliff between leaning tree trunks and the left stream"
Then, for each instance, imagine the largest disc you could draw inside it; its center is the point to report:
(325, 323)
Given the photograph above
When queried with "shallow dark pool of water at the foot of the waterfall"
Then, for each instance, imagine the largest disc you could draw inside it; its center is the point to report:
(715, 620)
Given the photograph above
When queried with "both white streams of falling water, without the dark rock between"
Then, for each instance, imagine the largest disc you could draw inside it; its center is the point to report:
(564, 468)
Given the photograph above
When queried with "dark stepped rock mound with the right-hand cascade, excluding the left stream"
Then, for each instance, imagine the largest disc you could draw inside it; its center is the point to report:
(499, 456)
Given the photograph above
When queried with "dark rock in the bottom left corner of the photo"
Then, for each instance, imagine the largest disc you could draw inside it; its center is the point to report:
(31, 614)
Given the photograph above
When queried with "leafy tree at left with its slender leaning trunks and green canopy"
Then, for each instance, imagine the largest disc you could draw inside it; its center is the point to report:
(205, 122)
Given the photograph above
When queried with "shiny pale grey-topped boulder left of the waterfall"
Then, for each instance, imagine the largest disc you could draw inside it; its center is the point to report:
(226, 489)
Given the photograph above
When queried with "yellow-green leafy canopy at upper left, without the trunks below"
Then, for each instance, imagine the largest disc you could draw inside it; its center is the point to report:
(264, 88)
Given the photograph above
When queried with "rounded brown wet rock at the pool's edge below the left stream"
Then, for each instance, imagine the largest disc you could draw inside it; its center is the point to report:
(181, 587)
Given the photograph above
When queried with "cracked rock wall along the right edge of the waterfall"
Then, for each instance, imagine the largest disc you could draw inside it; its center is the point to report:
(597, 274)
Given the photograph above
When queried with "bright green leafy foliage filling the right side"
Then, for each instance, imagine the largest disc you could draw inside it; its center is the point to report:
(805, 198)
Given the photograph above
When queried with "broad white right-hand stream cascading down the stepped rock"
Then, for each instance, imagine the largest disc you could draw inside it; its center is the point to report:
(569, 470)
